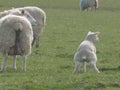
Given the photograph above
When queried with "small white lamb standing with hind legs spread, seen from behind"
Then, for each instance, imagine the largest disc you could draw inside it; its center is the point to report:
(86, 52)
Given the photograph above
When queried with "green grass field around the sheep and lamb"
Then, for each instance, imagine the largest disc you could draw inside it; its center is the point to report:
(50, 66)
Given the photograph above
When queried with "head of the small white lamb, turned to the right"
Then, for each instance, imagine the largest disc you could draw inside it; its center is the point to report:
(93, 36)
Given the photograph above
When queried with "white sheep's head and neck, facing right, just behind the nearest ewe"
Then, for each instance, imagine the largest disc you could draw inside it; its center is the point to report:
(24, 14)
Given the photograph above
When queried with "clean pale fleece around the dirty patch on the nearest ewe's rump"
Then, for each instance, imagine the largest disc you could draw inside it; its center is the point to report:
(9, 27)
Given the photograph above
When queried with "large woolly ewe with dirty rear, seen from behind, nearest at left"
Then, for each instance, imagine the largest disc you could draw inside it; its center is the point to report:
(16, 37)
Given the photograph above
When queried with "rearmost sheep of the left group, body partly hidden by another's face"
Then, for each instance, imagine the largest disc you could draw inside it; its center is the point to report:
(40, 17)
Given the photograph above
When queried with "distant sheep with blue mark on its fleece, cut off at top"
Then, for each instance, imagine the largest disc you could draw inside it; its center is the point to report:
(88, 4)
